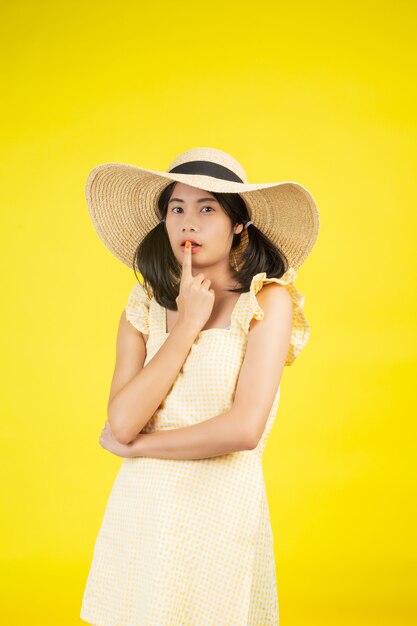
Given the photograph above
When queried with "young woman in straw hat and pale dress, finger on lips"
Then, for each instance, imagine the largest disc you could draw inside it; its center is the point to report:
(186, 537)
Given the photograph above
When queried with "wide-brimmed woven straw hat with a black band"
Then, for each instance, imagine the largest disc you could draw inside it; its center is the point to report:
(122, 202)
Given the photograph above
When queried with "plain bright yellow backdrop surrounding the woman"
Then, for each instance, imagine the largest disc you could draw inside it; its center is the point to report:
(316, 92)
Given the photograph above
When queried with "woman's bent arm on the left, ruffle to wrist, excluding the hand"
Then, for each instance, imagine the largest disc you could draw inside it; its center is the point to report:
(138, 391)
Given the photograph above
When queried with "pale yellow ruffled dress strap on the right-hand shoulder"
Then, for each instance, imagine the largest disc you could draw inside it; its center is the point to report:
(300, 329)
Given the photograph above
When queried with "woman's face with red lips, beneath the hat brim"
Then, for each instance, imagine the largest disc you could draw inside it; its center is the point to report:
(195, 214)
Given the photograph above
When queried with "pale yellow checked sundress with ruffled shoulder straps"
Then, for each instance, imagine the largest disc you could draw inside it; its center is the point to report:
(189, 542)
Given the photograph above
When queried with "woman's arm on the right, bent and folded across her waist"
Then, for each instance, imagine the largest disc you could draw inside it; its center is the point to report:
(242, 426)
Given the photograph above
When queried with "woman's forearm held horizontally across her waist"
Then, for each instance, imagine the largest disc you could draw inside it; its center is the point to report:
(218, 435)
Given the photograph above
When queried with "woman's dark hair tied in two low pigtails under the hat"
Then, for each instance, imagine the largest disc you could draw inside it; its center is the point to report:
(162, 272)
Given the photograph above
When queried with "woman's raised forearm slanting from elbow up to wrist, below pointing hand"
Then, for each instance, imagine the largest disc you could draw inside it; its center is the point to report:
(139, 399)
